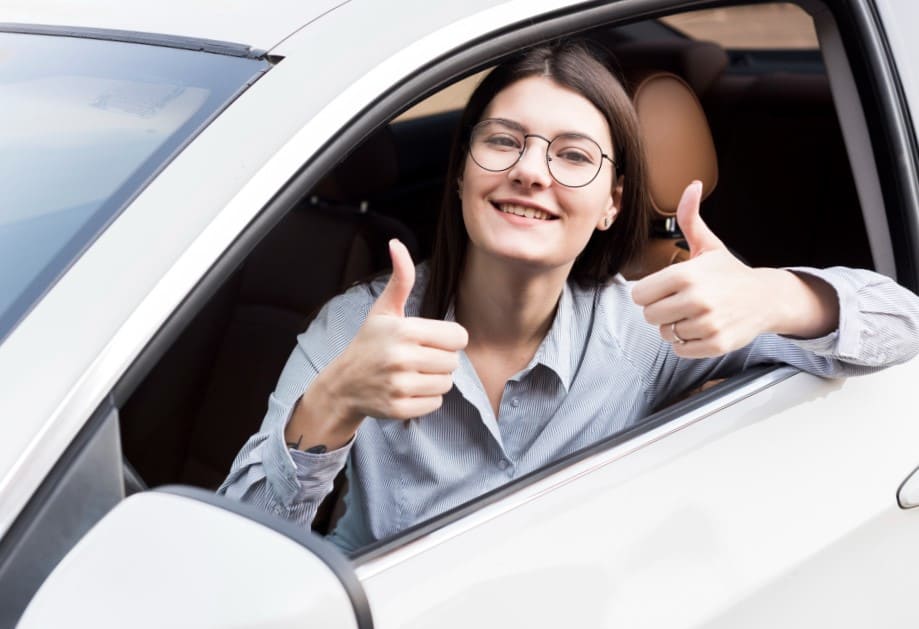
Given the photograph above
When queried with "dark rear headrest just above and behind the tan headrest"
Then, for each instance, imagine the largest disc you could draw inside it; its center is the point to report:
(699, 63)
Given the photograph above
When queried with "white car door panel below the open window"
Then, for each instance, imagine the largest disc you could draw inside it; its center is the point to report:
(668, 535)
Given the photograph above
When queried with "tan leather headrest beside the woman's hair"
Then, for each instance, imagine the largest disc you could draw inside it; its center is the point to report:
(677, 140)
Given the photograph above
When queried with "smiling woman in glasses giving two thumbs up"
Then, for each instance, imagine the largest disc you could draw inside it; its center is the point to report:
(530, 345)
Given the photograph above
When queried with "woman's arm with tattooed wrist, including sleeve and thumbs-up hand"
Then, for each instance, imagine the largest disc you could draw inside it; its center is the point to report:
(359, 358)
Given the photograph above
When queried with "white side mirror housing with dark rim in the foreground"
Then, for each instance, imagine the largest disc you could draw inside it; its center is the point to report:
(182, 557)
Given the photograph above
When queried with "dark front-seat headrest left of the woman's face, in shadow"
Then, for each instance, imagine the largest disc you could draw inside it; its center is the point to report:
(370, 169)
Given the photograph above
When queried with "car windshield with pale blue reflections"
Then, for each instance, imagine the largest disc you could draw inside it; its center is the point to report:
(85, 125)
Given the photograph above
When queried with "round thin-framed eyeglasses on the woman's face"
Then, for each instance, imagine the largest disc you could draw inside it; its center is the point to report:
(574, 160)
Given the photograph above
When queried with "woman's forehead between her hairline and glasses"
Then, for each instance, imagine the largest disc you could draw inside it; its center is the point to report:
(543, 106)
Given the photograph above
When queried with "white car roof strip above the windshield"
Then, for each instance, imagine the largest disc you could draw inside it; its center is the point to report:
(259, 24)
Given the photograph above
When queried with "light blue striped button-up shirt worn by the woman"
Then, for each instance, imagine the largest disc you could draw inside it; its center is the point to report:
(600, 369)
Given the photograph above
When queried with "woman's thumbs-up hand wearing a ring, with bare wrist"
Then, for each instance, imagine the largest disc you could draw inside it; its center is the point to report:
(713, 303)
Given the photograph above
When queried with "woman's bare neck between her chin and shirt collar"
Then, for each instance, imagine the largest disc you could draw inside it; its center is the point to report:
(507, 306)
